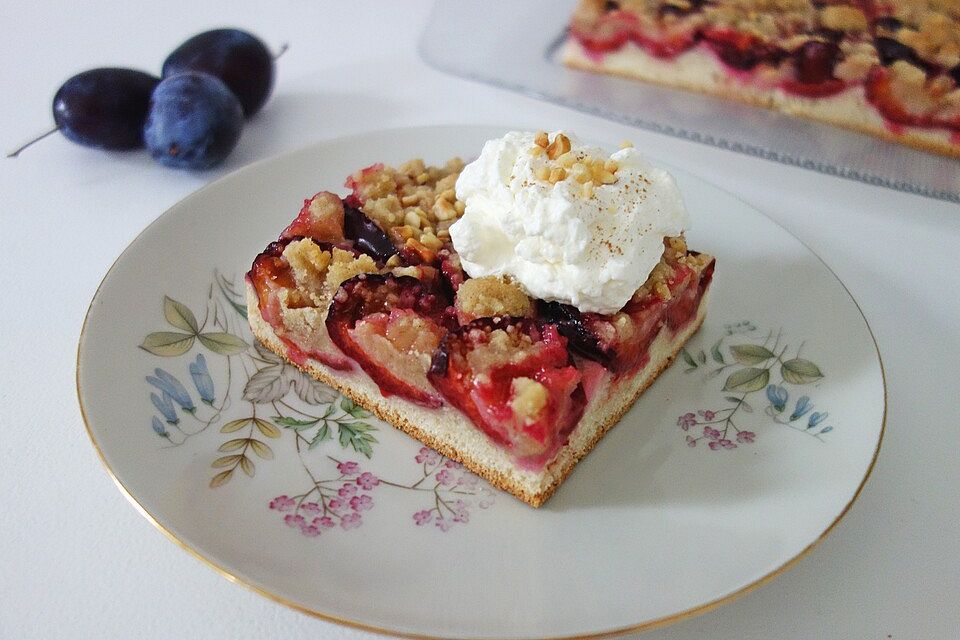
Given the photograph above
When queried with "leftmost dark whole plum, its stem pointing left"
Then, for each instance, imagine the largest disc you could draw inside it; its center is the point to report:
(104, 108)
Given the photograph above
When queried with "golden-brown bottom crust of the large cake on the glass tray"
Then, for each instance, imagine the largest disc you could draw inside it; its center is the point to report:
(917, 139)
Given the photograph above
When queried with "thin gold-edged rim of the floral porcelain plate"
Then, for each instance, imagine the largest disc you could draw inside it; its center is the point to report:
(646, 625)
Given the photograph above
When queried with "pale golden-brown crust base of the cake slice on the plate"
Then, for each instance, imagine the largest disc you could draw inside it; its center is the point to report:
(265, 334)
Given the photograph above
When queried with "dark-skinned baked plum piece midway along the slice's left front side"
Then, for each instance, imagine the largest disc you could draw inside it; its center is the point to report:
(391, 325)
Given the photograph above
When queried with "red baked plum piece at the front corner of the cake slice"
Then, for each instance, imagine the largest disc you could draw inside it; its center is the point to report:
(514, 378)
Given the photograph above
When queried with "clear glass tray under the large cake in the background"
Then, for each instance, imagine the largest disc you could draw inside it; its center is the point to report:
(515, 45)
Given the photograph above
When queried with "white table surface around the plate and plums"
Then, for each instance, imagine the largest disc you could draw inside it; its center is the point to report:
(76, 561)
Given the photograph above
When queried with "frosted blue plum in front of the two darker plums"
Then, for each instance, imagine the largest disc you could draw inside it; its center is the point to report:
(194, 121)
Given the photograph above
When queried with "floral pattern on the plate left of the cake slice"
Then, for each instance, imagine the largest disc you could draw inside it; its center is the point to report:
(279, 402)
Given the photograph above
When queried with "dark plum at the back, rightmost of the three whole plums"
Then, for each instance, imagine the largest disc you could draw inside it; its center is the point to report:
(238, 58)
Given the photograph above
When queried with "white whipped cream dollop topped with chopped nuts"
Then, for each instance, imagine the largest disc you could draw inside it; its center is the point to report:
(574, 225)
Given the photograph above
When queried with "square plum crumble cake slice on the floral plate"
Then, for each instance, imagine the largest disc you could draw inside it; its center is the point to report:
(369, 295)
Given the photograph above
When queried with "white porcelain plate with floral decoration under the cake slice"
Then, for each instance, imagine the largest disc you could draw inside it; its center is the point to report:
(731, 467)
